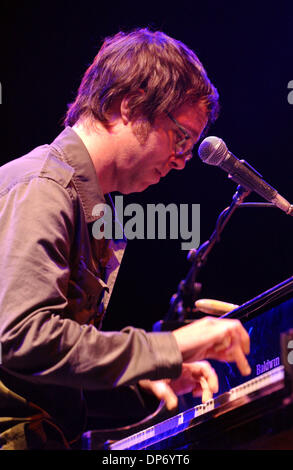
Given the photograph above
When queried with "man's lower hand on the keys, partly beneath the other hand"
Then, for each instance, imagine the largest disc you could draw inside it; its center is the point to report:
(198, 378)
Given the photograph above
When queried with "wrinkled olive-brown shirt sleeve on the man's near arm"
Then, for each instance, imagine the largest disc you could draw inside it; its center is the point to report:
(38, 342)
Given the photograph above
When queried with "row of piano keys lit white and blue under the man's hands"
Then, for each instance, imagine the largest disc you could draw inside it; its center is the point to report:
(182, 421)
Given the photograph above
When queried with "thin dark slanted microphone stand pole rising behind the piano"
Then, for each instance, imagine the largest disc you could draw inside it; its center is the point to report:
(182, 303)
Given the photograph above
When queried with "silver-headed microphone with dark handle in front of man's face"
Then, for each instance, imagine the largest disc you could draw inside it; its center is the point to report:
(213, 151)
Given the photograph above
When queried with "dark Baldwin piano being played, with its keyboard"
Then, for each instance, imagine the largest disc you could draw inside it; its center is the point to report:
(253, 413)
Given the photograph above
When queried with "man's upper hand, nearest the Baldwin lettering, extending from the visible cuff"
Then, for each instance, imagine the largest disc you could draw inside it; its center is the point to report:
(214, 338)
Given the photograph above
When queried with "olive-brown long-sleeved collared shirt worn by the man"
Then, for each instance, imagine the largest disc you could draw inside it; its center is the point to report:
(55, 284)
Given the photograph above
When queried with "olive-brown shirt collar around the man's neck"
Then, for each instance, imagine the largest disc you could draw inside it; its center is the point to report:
(85, 179)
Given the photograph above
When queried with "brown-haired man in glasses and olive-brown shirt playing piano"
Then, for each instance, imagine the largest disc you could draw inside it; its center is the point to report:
(142, 105)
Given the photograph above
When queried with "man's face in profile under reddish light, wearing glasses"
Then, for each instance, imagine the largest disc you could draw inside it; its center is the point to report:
(151, 157)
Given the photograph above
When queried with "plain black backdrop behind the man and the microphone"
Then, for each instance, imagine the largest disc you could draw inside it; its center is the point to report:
(247, 51)
